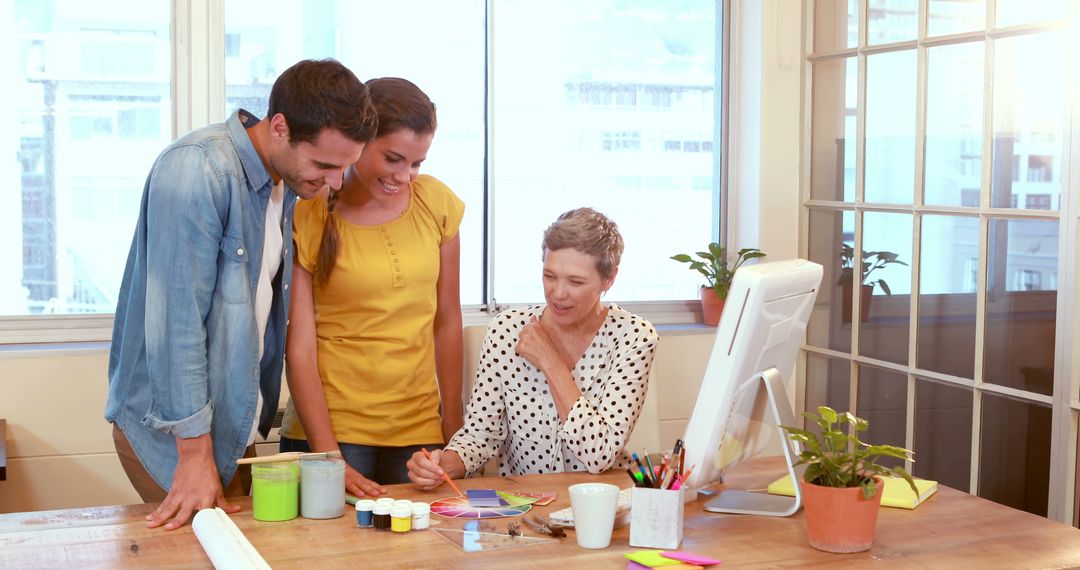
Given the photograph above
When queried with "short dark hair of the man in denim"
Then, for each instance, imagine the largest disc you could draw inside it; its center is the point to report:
(316, 96)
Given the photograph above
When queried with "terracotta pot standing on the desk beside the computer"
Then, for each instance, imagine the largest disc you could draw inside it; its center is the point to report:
(841, 520)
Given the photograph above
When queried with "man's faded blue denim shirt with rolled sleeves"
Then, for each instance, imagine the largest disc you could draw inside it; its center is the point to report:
(184, 360)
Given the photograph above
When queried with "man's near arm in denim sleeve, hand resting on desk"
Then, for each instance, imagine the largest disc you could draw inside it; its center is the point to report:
(185, 239)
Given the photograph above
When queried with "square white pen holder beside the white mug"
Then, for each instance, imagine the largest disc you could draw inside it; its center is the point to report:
(656, 519)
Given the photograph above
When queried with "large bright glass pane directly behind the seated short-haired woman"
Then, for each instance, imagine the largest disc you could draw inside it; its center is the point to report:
(617, 113)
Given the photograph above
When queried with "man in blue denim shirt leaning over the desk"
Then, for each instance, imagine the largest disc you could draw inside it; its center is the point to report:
(200, 324)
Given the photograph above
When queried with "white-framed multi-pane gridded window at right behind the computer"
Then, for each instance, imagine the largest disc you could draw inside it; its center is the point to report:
(980, 301)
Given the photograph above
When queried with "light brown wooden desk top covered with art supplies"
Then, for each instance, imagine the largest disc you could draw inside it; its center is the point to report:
(951, 531)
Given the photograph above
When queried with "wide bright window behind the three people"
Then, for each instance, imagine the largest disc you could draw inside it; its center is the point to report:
(524, 134)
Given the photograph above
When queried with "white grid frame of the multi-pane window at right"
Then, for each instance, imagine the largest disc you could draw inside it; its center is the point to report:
(1064, 484)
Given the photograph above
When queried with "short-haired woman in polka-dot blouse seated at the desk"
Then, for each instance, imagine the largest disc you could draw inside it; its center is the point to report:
(560, 387)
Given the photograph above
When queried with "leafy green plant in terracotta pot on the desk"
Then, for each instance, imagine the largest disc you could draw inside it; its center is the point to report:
(842, 488)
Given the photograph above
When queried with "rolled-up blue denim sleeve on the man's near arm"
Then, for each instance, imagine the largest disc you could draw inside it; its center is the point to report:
(184, 240)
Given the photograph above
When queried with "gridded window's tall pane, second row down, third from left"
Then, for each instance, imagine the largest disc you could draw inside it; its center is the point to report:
(954, 152)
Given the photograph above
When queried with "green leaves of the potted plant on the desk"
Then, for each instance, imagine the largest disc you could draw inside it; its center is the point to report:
(839, 459)
